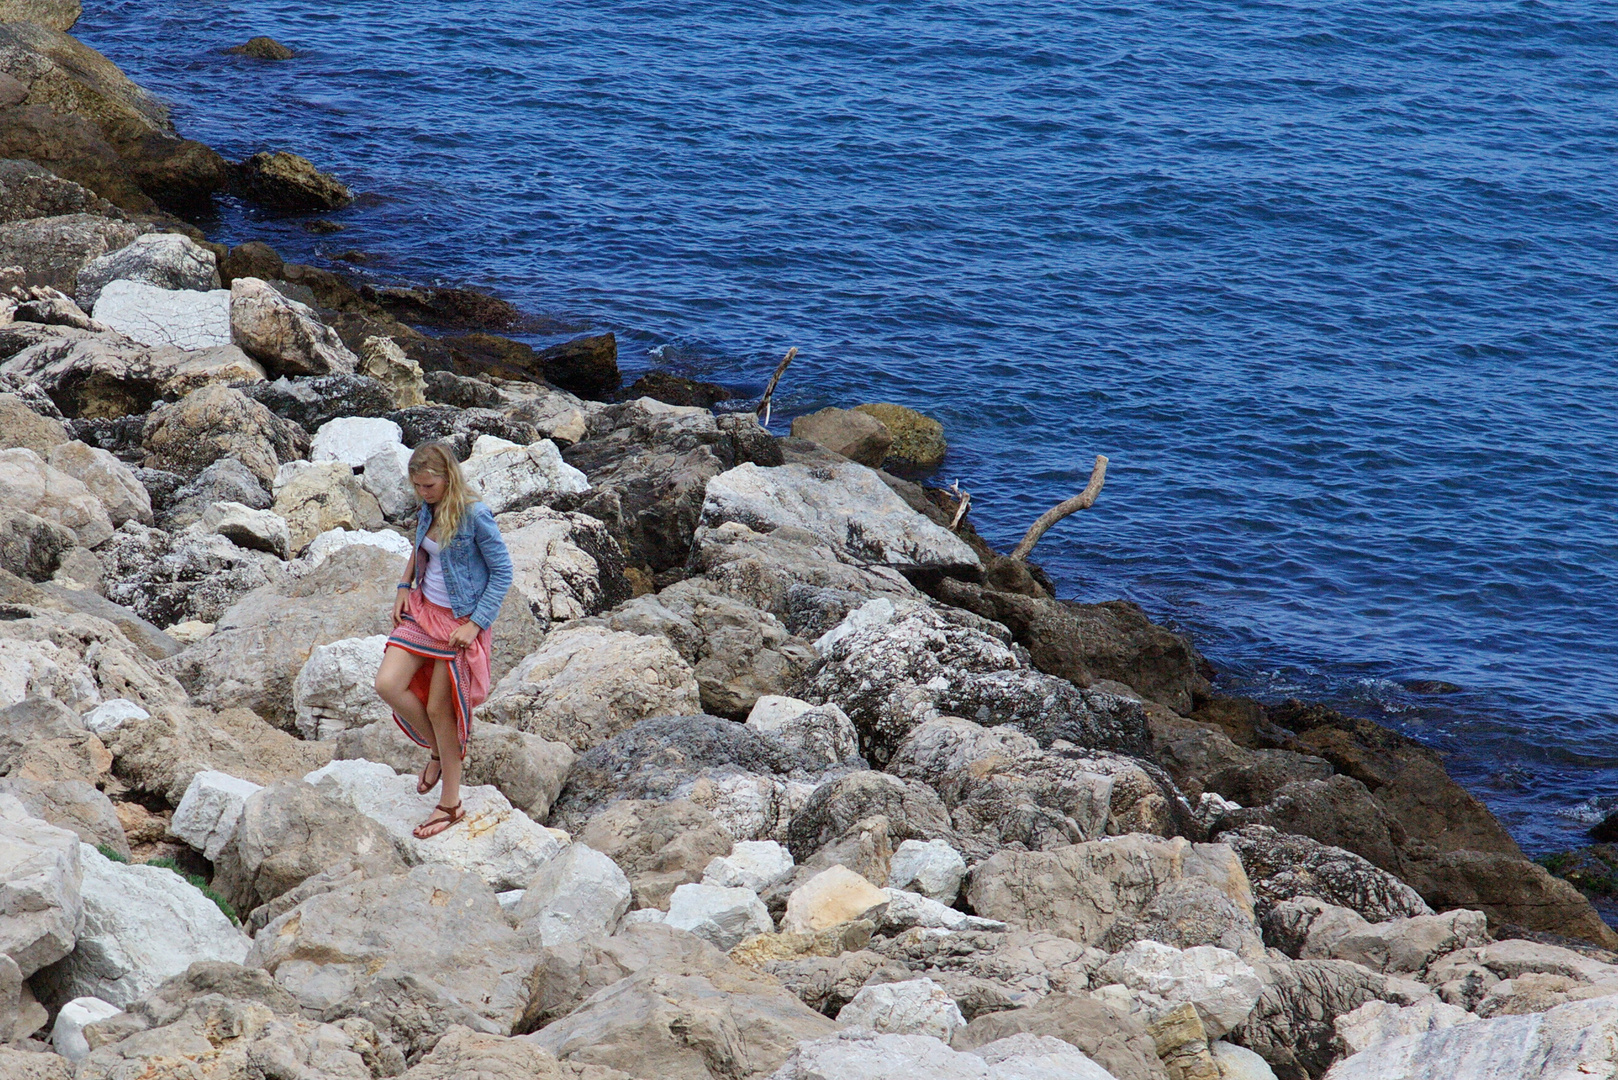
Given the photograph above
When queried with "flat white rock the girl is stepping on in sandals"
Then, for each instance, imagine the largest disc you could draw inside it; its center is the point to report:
(496, 841)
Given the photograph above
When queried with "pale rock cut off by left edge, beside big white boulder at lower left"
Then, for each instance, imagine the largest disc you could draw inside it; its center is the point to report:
(41, 878)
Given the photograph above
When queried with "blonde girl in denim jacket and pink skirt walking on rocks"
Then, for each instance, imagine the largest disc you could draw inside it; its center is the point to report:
(436, 668)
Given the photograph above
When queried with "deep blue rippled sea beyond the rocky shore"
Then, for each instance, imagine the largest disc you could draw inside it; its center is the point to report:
(1334, 286)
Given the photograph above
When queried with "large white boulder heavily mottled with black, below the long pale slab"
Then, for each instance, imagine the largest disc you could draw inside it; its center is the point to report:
(896, 665)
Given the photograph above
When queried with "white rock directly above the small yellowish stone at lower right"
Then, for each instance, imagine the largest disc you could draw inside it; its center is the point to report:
(1219, 984)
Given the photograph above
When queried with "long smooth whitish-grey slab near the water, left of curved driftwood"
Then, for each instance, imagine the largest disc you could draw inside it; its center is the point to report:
(845, 506)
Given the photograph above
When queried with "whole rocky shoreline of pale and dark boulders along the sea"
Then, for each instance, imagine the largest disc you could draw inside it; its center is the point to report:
(786, 772)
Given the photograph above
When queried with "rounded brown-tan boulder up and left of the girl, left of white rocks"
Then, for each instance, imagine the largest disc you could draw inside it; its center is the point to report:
(214, 423)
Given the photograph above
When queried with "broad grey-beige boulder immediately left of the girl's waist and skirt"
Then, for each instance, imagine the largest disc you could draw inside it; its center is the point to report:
(263, 642)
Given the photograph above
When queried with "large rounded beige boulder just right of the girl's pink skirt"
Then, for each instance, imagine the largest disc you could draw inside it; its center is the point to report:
(588, 684)
